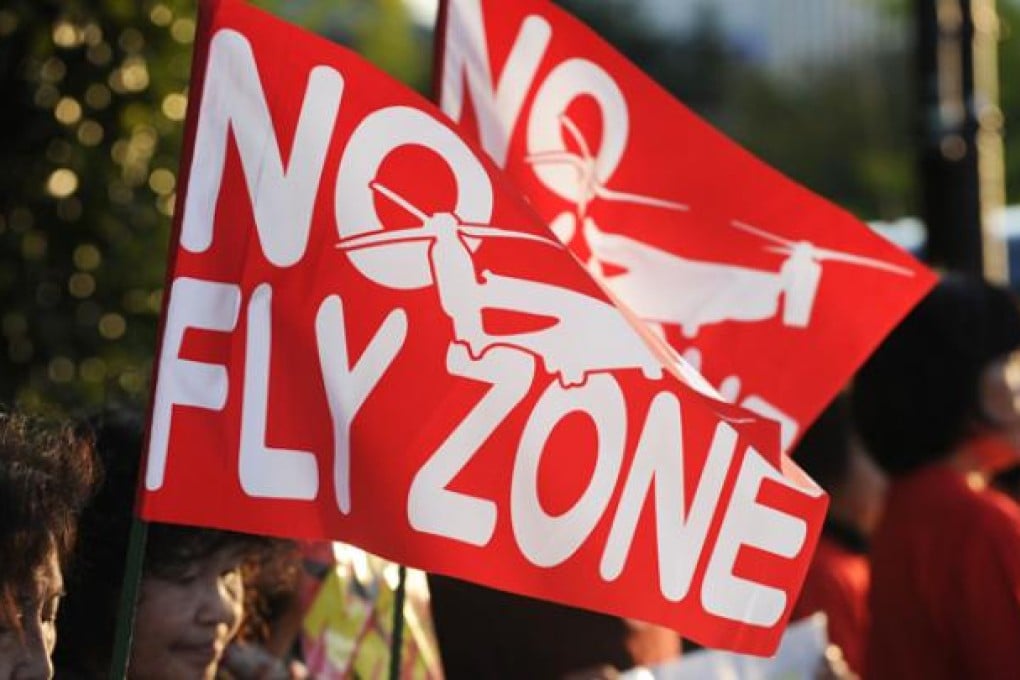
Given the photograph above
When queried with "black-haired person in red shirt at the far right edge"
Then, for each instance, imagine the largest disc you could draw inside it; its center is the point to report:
(946, 556)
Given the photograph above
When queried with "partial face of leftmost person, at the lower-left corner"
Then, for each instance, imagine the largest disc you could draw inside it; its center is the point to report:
(27, 656)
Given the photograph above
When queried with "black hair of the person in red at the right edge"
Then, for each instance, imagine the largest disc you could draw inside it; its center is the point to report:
(919, 398)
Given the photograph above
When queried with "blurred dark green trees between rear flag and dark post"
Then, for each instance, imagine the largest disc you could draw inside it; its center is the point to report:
(842, 128)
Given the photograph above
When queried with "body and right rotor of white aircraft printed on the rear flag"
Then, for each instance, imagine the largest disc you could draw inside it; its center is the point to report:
(665, 288)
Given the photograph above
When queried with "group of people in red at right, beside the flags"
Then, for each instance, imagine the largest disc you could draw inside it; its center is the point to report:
(920, 565)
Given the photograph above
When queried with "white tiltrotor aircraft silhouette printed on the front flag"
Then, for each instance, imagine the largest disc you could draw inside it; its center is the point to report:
(588, 335)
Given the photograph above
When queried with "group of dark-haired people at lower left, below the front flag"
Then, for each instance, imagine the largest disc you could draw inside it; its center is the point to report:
(200, 593)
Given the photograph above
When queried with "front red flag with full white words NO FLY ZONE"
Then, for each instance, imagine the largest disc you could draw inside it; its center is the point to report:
(371, 337)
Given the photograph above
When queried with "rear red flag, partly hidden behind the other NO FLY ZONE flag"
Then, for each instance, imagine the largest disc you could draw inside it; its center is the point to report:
(776, 294)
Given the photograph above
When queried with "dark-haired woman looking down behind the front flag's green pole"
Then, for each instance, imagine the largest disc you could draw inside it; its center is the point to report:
(196, 596)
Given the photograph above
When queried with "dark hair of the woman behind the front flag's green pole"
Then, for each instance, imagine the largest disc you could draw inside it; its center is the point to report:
(88, 615)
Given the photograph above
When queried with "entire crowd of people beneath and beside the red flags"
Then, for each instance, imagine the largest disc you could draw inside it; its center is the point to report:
(919, 568)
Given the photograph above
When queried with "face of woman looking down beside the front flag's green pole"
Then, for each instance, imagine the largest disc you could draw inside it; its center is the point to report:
(184, 624)
